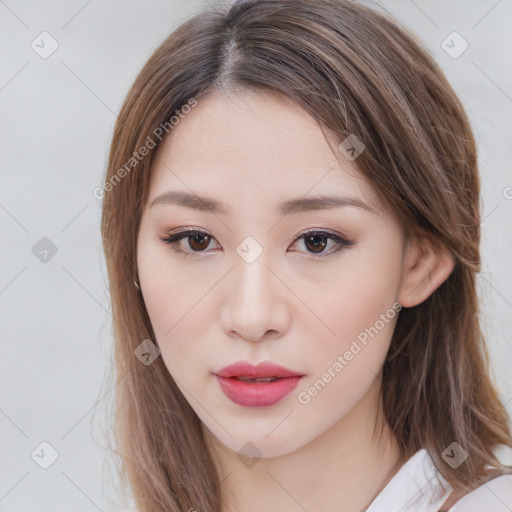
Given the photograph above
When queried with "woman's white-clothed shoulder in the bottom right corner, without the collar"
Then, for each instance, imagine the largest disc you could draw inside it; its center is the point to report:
(495, 495)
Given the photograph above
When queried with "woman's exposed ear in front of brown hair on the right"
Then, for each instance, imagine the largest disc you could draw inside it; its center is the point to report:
(425, 268)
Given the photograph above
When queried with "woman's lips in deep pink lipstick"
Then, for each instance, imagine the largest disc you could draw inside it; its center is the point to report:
(257, 386)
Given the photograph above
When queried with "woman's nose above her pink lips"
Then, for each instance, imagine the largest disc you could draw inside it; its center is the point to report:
(256, 302)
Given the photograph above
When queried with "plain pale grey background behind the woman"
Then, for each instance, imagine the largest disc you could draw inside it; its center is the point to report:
(57, 116)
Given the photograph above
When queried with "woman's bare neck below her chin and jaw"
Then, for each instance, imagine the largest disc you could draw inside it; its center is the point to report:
(342, 470)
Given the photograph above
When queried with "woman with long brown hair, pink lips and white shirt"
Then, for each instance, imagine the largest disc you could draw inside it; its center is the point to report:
(291, 227)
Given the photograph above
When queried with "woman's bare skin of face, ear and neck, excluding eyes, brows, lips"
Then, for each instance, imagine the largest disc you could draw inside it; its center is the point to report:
(292, 306)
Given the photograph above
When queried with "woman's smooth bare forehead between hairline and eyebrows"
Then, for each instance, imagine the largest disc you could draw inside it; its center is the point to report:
(253, 141)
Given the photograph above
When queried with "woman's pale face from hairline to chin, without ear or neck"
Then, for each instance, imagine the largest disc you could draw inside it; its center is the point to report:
(249, 288)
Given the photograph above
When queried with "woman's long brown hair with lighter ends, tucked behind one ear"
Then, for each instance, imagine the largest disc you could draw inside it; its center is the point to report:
(355, 72)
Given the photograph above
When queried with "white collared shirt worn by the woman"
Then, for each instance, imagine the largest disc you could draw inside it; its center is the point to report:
(415, 488)
